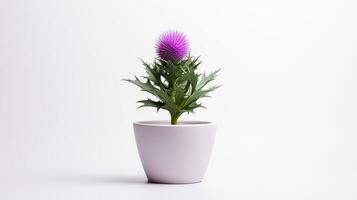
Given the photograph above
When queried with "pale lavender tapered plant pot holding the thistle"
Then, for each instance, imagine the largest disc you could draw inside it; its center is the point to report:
(174, 153)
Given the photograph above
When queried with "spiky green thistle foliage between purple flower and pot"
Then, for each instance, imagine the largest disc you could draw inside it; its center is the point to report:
(176, 85)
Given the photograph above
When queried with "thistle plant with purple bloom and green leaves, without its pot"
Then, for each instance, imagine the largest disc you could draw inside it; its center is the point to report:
(173, 78)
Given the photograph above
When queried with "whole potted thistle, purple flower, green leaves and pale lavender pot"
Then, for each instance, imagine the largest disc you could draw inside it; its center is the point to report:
(174, 151)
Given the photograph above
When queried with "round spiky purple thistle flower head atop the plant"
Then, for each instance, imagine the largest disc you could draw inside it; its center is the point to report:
(172, 46)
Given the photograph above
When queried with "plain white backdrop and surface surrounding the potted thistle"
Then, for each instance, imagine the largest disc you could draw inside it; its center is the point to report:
(286, 111)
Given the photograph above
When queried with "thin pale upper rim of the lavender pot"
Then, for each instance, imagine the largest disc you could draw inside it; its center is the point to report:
(166, 123)
